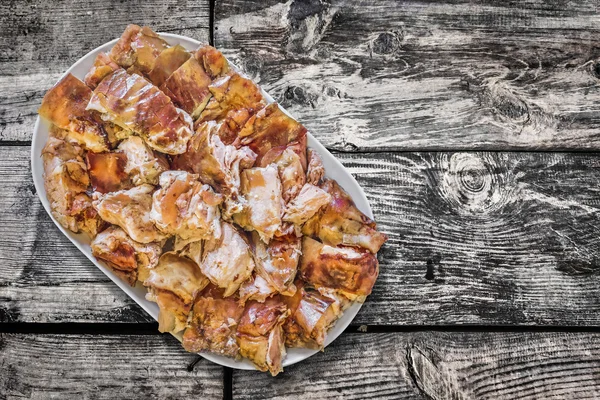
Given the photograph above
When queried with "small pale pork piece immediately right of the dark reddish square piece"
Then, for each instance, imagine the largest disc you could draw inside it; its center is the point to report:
(143, 165)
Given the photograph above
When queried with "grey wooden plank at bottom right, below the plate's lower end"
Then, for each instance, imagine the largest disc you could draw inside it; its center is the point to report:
(438, 365)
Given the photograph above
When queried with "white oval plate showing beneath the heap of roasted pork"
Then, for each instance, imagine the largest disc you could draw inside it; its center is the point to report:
(334, 170)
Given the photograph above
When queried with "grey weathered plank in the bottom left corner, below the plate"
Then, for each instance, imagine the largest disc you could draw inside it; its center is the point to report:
(103, 367)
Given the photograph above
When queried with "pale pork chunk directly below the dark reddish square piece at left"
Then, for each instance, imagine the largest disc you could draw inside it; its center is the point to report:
(130, 209)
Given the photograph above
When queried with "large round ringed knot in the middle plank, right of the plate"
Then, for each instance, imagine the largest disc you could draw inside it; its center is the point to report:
(474, 184)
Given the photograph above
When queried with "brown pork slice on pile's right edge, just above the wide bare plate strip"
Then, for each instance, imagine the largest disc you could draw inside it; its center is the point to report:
(270, 128)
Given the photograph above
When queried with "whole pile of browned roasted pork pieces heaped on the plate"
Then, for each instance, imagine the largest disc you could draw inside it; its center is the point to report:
(188, 182)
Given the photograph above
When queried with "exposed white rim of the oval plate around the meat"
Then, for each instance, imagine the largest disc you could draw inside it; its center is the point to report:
(79, 239)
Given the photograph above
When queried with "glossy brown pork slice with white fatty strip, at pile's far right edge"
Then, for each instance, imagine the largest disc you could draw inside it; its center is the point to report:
(351, 271)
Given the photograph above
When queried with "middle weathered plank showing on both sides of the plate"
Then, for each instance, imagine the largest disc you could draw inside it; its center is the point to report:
(475, 238)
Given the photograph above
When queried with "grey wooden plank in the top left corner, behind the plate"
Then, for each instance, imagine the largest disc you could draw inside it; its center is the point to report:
(40, 40)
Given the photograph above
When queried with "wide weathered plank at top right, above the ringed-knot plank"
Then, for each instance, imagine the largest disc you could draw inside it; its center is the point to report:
(416, 75)
